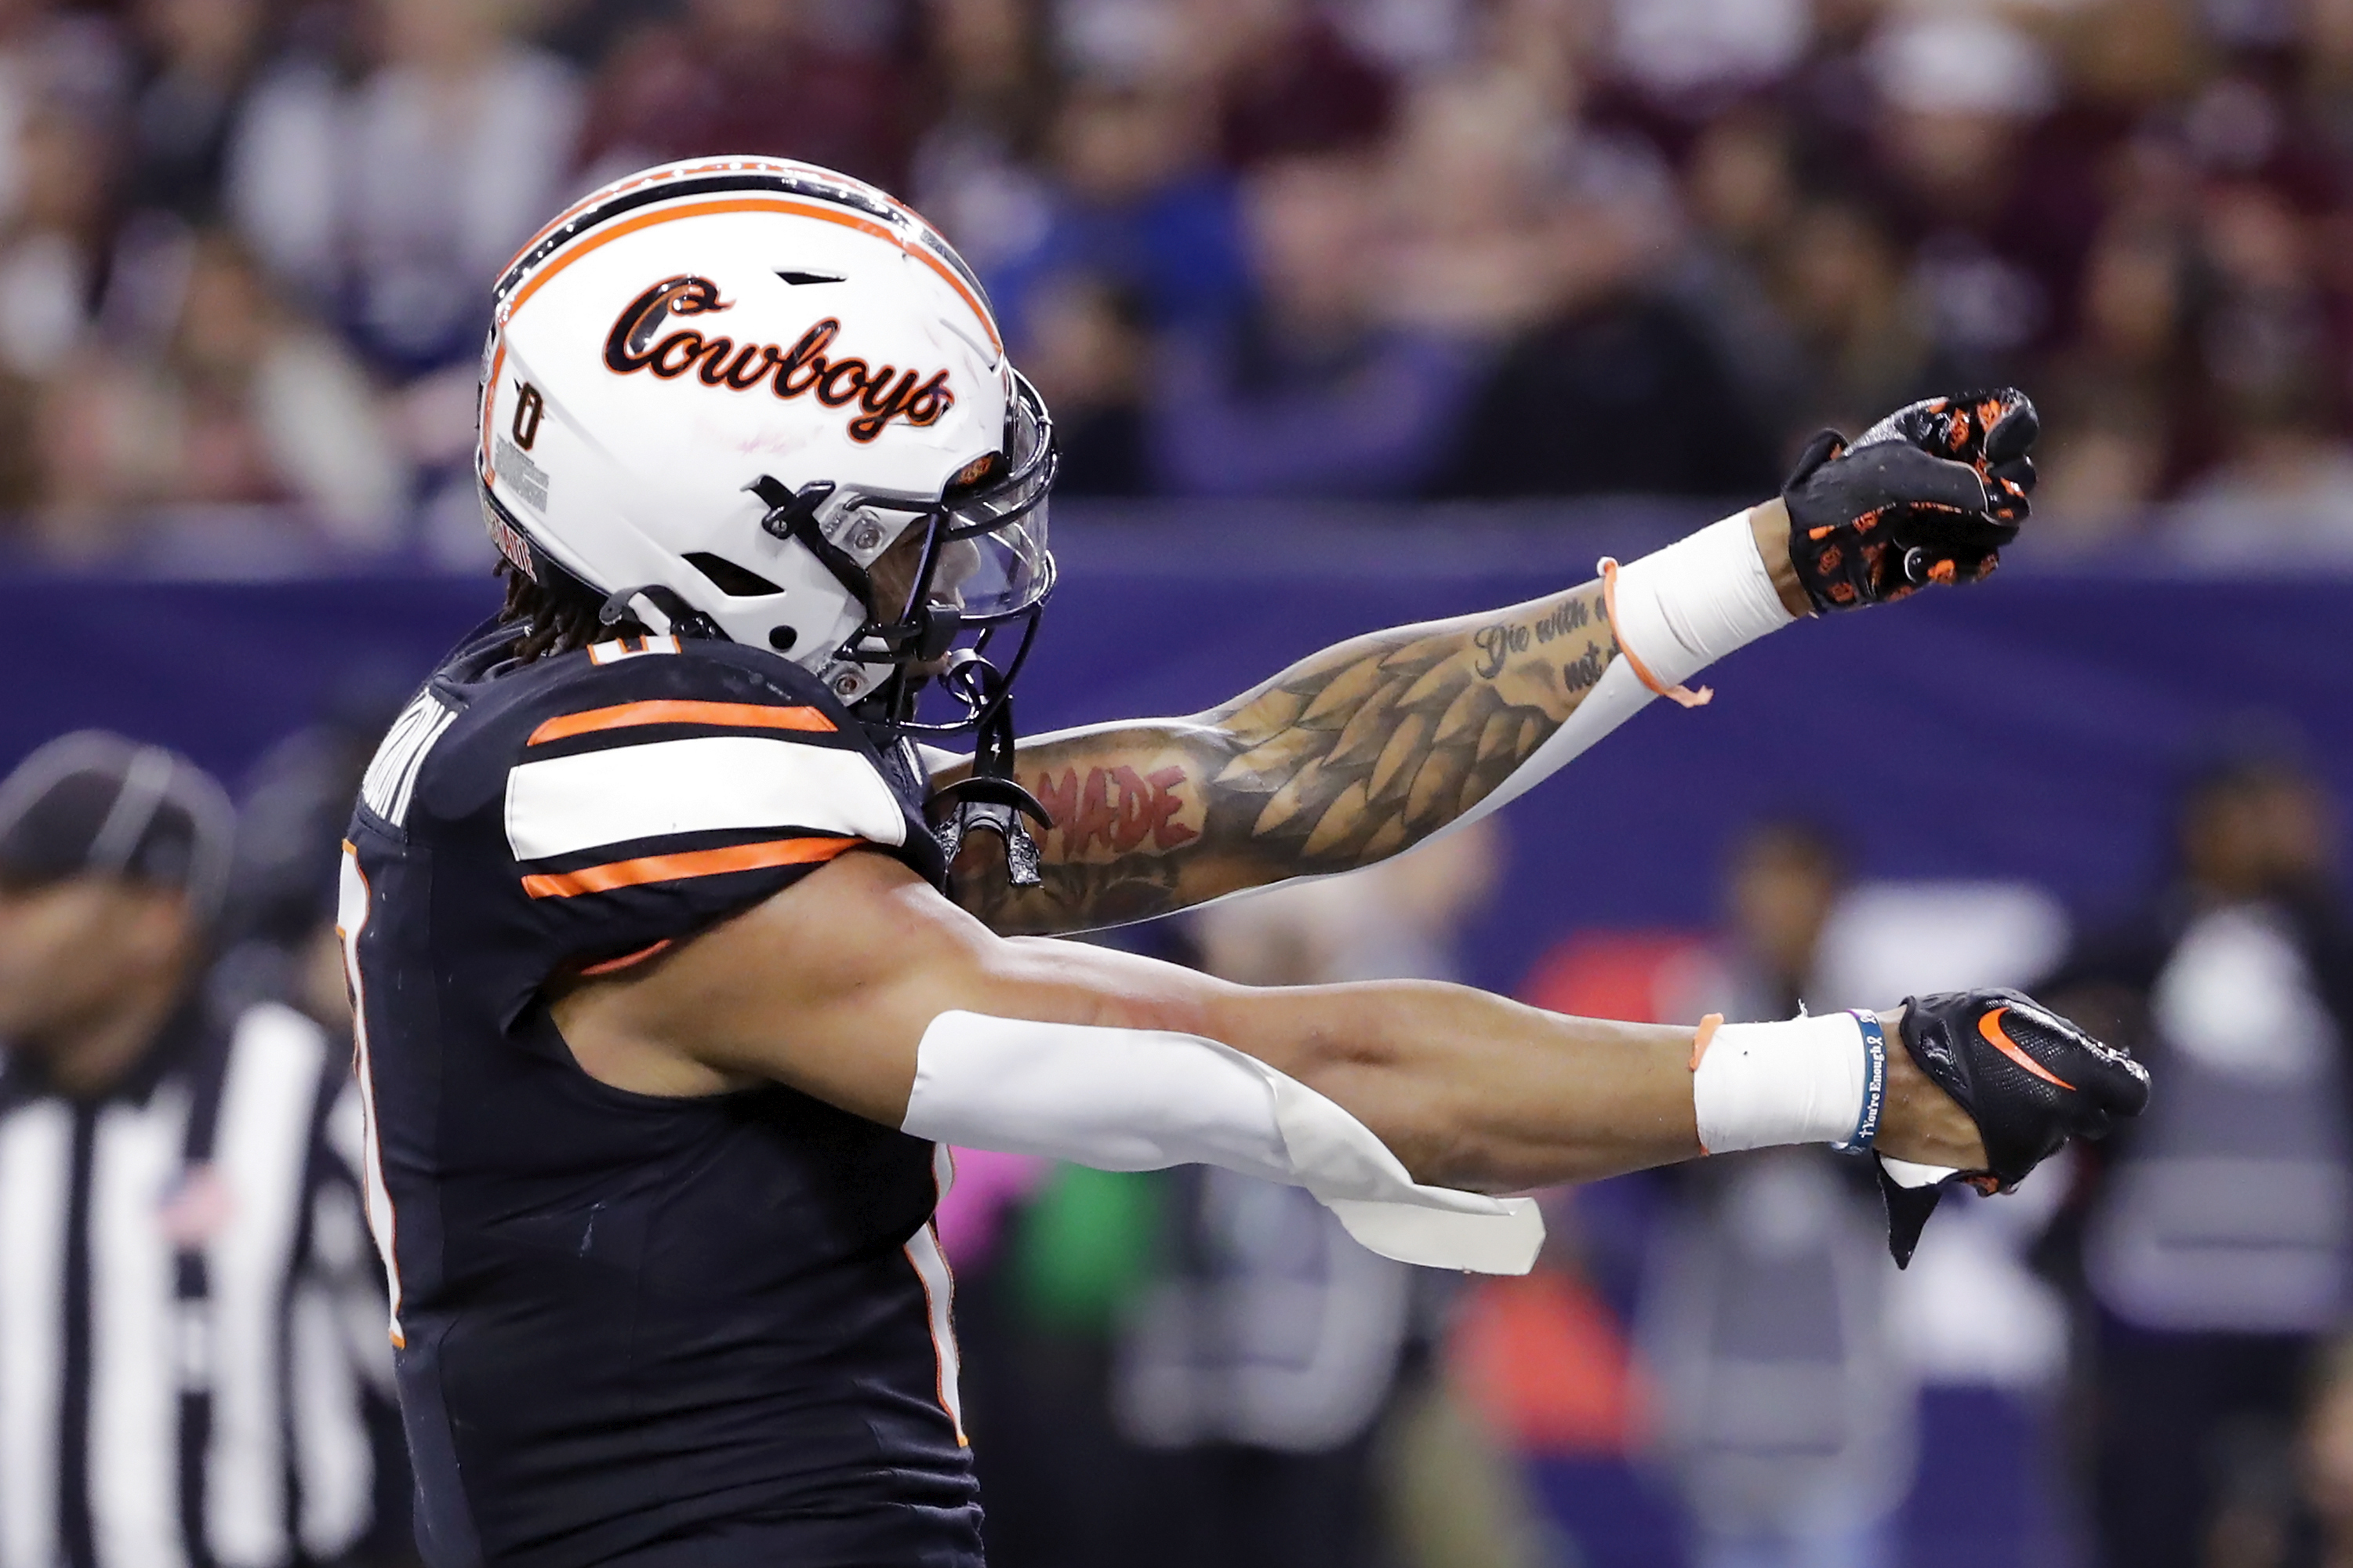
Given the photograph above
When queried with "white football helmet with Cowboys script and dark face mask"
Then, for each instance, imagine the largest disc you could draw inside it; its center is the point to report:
(728, 390)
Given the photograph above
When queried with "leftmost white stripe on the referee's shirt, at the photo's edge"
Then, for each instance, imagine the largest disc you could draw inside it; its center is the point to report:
(36, 1148)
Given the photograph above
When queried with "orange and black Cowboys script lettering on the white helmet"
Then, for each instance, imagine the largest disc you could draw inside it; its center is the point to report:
(879, 392)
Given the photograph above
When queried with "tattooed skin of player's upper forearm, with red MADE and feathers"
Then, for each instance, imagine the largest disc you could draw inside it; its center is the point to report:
(1340, 762)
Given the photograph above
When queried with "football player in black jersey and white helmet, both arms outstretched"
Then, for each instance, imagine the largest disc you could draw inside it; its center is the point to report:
(681, 955)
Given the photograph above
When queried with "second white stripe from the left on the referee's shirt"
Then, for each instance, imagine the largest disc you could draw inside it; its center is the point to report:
(133, 1353)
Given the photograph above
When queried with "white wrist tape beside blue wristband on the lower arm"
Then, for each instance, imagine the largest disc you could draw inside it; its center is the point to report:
(1799, 1082)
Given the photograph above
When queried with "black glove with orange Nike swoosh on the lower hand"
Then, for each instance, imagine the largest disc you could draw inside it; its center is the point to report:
(2029, 1082)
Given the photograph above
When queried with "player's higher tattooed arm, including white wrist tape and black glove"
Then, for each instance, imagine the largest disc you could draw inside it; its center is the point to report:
(1375, 745)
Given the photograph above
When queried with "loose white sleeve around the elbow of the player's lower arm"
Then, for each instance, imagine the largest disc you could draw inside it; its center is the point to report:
(1145, 1098)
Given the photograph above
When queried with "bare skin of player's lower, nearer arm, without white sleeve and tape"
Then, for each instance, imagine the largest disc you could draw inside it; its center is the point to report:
(836, 983)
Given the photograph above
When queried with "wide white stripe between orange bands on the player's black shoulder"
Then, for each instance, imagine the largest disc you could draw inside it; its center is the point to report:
(571, 804)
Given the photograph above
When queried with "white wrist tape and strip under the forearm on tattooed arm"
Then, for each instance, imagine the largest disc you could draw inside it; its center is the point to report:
(1679, 611)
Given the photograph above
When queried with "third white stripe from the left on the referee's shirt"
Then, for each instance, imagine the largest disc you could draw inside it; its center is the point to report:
(262, 1150)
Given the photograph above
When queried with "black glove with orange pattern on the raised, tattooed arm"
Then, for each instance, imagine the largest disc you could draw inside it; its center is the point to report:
(1931, 493)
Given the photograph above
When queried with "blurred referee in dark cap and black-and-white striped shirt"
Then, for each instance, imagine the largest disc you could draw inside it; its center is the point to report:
(192, 1329)
